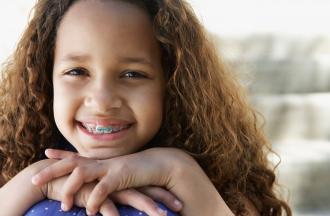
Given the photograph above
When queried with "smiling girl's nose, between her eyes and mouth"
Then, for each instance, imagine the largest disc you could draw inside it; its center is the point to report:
(102, 97)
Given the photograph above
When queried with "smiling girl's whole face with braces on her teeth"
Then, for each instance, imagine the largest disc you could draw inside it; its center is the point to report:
(107, 77)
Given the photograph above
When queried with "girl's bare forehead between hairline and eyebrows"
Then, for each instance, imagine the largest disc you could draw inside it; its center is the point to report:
(109, 26)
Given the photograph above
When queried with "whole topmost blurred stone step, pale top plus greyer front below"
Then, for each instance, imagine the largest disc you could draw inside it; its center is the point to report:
(275, 64)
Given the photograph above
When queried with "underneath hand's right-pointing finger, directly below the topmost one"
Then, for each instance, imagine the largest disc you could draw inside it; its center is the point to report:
(137, 200)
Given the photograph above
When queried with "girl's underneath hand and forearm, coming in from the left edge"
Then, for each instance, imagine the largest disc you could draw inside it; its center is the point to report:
(13, 203)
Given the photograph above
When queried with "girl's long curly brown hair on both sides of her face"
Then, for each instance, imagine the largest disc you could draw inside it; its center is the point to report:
(206, 113)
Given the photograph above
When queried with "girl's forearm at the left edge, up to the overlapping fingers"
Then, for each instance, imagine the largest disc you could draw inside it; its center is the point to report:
(19, 194)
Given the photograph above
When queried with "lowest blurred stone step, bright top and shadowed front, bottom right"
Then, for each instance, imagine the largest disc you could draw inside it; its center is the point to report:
(305, 171)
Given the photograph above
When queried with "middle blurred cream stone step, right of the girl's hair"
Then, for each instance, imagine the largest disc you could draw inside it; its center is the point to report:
(295, 116)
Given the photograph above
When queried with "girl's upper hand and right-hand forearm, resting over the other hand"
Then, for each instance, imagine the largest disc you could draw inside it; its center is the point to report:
(165, 167)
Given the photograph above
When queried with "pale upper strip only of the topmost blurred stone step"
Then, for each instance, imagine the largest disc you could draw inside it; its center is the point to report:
(274, 47)
